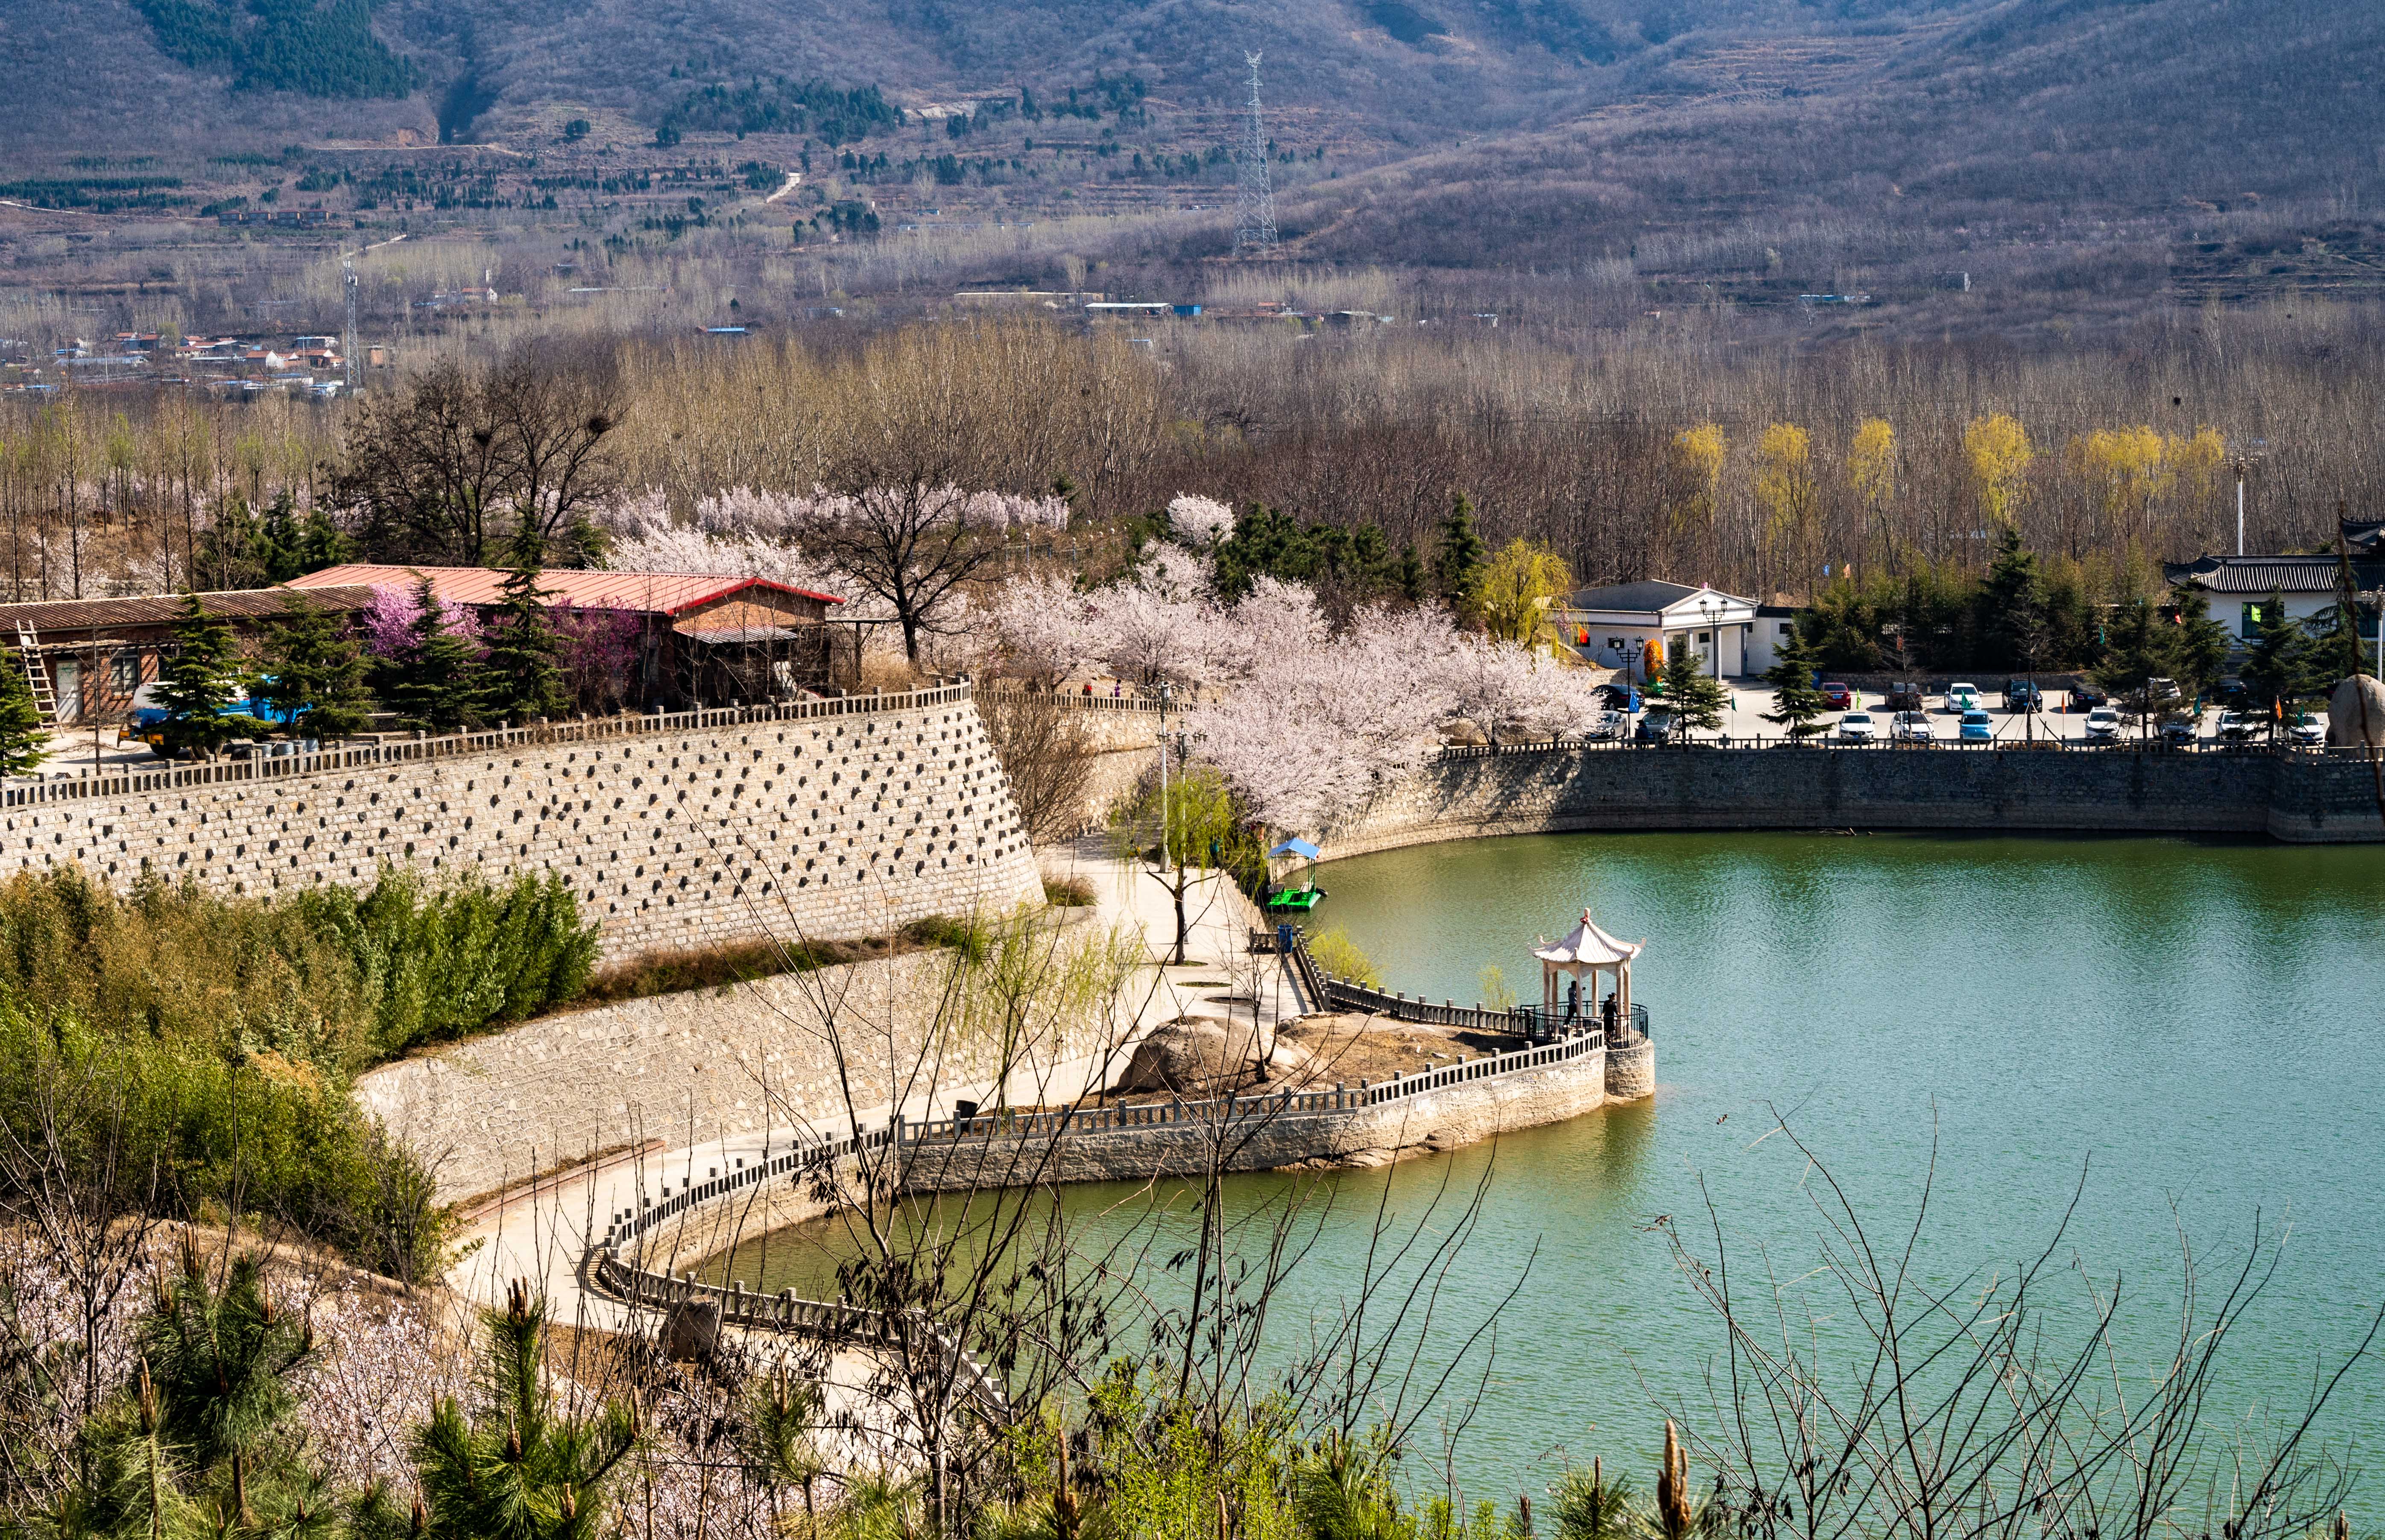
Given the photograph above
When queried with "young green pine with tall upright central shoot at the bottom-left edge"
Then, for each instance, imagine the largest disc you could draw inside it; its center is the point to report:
(516, 1467)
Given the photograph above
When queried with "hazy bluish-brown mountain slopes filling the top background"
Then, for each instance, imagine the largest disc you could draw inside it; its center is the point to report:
(2050, 154)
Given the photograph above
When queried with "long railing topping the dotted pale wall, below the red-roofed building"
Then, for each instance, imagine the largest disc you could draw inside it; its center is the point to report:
(466, 745)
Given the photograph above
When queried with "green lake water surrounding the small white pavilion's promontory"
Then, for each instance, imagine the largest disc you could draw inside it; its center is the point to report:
(2191, 1024)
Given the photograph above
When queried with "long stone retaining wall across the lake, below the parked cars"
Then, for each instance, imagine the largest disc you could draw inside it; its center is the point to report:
(2303, 797)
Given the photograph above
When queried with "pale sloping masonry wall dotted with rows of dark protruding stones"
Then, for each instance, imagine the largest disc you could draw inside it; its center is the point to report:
(829, 828)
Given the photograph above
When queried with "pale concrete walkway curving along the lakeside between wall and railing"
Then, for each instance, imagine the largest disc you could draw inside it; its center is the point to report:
(545, 1231)
